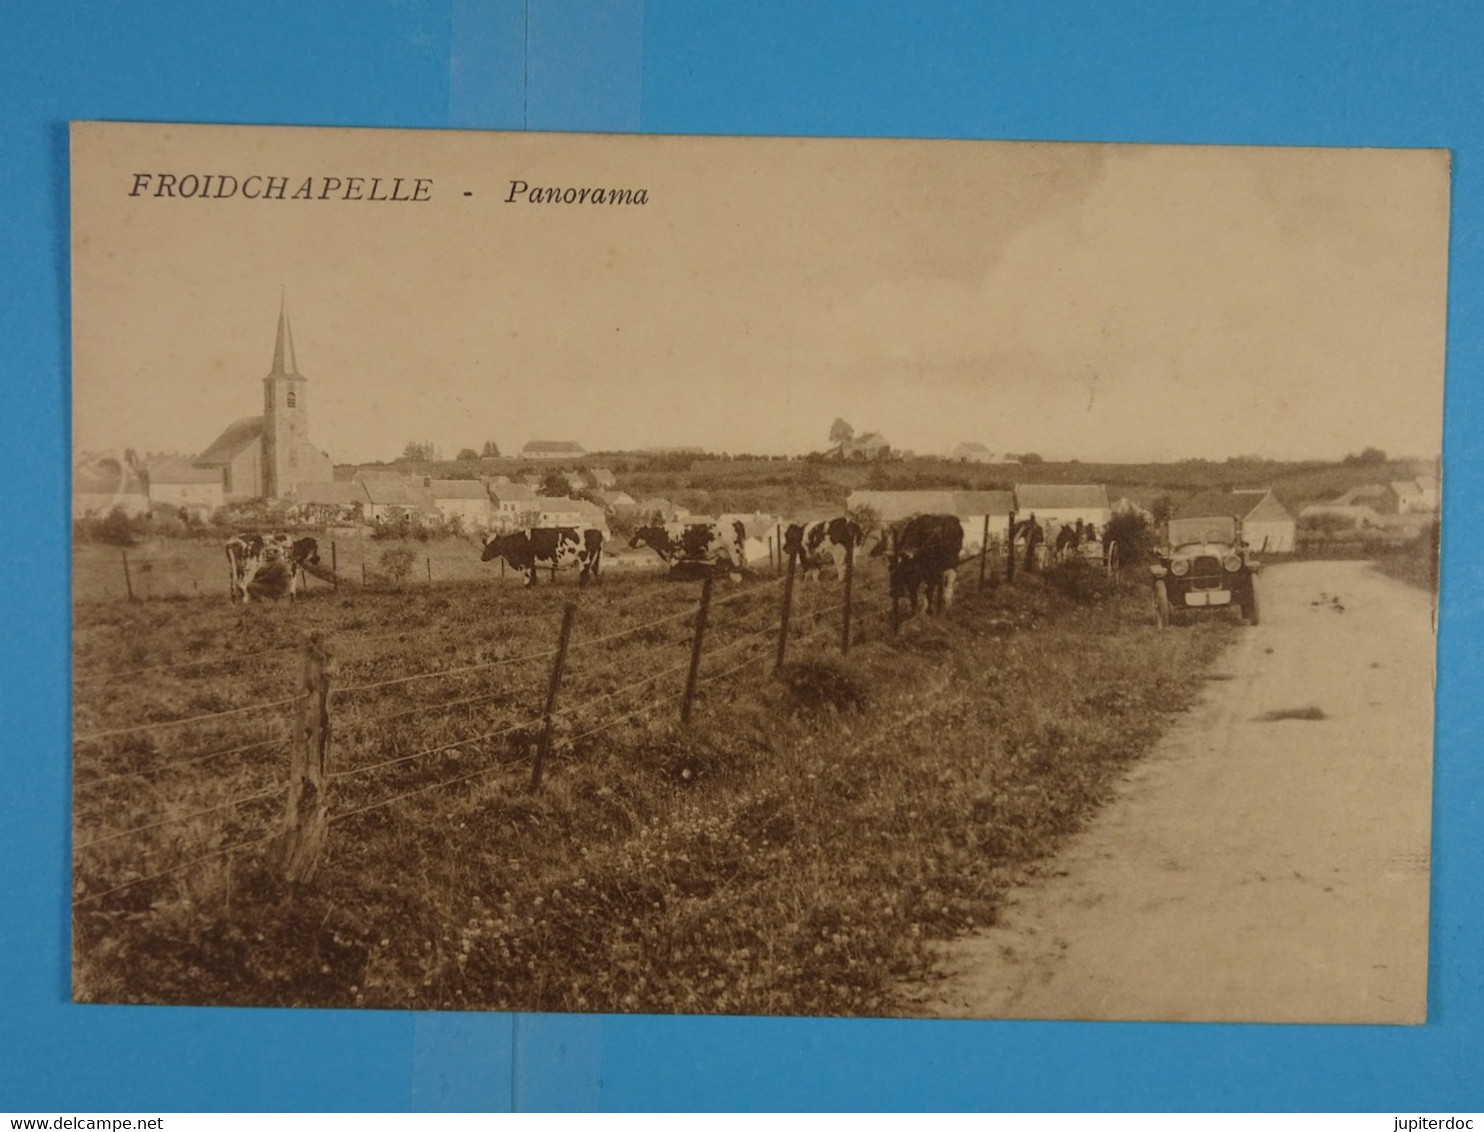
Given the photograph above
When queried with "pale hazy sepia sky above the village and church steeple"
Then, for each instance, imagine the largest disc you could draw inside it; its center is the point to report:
(1094, 302)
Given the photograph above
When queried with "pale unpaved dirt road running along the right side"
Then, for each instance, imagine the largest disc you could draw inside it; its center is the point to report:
(1252, 869)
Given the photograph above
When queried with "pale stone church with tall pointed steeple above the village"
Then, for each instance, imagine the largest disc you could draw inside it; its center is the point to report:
(271, 455)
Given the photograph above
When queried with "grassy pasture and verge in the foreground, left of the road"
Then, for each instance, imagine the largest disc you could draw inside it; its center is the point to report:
(790, 851)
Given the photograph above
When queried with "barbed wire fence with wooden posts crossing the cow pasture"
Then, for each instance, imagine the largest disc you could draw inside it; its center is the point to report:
(504, 714)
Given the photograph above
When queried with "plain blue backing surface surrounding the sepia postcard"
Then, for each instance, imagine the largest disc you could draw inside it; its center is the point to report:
(1241, 73)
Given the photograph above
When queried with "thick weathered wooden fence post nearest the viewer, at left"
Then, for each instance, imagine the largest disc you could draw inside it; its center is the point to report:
(308, 811)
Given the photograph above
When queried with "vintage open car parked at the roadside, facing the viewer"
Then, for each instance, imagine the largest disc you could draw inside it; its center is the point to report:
(1204, 566)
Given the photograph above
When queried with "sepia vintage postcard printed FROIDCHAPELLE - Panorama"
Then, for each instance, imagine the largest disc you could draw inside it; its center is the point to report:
(755, 576)
